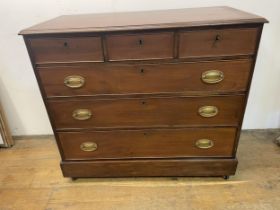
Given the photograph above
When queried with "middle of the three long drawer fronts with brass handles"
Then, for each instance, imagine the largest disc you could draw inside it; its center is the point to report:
(149, 112)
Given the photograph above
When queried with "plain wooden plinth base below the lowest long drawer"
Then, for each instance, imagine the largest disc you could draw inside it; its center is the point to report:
(149, 168)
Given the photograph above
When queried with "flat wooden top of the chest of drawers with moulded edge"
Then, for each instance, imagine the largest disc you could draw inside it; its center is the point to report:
(172, 18)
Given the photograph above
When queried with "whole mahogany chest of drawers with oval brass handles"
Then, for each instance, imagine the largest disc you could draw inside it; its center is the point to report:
(158, 93)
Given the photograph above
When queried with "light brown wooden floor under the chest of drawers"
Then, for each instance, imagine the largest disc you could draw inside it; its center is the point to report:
(30, 178)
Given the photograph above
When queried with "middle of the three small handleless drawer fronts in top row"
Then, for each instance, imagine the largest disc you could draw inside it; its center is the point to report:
(140, 46)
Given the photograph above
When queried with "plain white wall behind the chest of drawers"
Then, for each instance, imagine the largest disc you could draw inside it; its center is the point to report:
(19, 91)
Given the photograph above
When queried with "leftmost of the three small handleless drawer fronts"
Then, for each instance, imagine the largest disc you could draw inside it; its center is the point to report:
(52, 50)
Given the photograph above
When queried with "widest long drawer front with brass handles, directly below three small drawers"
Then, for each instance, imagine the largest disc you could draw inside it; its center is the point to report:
(128, 79)
